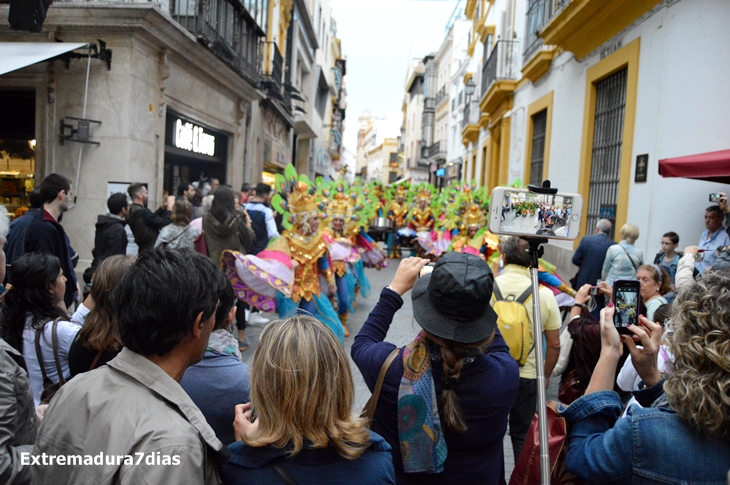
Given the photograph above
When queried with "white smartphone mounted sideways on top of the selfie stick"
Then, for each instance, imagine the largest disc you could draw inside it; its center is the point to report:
(534, 214)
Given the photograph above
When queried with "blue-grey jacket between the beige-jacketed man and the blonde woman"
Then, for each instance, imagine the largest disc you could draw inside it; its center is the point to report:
(216, 384)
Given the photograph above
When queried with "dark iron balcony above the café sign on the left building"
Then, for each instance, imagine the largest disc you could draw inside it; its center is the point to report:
(225, 28)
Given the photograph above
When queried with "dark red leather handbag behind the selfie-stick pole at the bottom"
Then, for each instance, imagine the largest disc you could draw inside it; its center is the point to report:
(527, 469)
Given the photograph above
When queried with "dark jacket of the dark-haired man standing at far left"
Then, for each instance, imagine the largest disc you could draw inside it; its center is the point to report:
(37, 231)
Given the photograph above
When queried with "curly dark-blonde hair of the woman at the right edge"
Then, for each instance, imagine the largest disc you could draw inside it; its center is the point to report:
(698, 387)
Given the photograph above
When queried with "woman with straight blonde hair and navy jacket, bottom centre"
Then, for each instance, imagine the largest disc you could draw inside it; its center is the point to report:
(299, 423)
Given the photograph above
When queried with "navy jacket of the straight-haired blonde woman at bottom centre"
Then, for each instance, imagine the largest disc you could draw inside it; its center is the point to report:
(251, 466)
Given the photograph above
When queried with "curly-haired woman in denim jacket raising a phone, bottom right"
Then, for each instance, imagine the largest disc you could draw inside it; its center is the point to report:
(683, 435)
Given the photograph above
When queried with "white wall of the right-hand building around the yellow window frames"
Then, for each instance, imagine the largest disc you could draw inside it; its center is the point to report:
(683, 108)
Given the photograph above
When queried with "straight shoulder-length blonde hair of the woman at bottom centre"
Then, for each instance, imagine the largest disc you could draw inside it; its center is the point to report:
(301, 389)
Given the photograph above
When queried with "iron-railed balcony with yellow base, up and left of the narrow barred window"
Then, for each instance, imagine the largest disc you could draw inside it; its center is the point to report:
(499, 75)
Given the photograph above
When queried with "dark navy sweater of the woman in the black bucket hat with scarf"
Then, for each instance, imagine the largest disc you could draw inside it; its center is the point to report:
(486, 390)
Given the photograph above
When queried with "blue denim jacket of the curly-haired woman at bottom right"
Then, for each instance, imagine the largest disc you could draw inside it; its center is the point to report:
(650, 445)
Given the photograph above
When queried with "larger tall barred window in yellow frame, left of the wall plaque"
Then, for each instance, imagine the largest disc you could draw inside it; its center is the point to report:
(606, 152)
